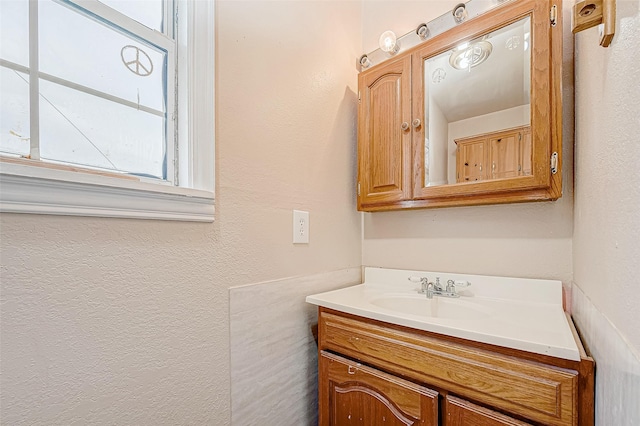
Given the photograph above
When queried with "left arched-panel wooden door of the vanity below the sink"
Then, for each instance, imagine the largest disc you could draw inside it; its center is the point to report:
(354, 394)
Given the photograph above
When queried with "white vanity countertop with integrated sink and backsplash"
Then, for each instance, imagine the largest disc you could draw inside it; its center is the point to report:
(517, 313)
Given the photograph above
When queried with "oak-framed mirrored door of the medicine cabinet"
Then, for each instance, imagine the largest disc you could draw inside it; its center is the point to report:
(486, 97)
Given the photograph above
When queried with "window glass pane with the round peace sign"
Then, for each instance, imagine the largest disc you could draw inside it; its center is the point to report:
(94, 55)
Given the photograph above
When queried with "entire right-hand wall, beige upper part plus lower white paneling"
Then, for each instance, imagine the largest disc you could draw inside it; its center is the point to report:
(606, 294)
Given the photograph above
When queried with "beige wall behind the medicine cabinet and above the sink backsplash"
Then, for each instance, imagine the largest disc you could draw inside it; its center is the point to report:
(526, 240)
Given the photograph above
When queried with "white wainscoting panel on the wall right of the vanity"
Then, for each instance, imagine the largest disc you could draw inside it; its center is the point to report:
(617, 364)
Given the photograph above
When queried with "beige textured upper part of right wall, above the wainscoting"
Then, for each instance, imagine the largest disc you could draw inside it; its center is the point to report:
(607, 205)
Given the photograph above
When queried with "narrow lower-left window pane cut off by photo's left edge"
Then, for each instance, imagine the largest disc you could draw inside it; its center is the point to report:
(14, 112)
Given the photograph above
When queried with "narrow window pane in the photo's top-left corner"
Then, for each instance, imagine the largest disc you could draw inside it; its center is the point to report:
(14, 31)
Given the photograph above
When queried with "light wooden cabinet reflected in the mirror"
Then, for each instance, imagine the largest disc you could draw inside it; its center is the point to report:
(495, 155)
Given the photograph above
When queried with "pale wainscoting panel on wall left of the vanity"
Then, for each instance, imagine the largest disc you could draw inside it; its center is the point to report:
(273, 355)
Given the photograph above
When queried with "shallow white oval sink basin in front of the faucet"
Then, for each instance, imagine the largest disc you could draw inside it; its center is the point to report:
(438, 307)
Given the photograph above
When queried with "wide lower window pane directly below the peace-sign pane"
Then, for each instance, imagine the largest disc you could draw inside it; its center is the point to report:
(83, 129)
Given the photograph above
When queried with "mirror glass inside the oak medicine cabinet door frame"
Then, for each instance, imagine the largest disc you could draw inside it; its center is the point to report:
(477, 108)
